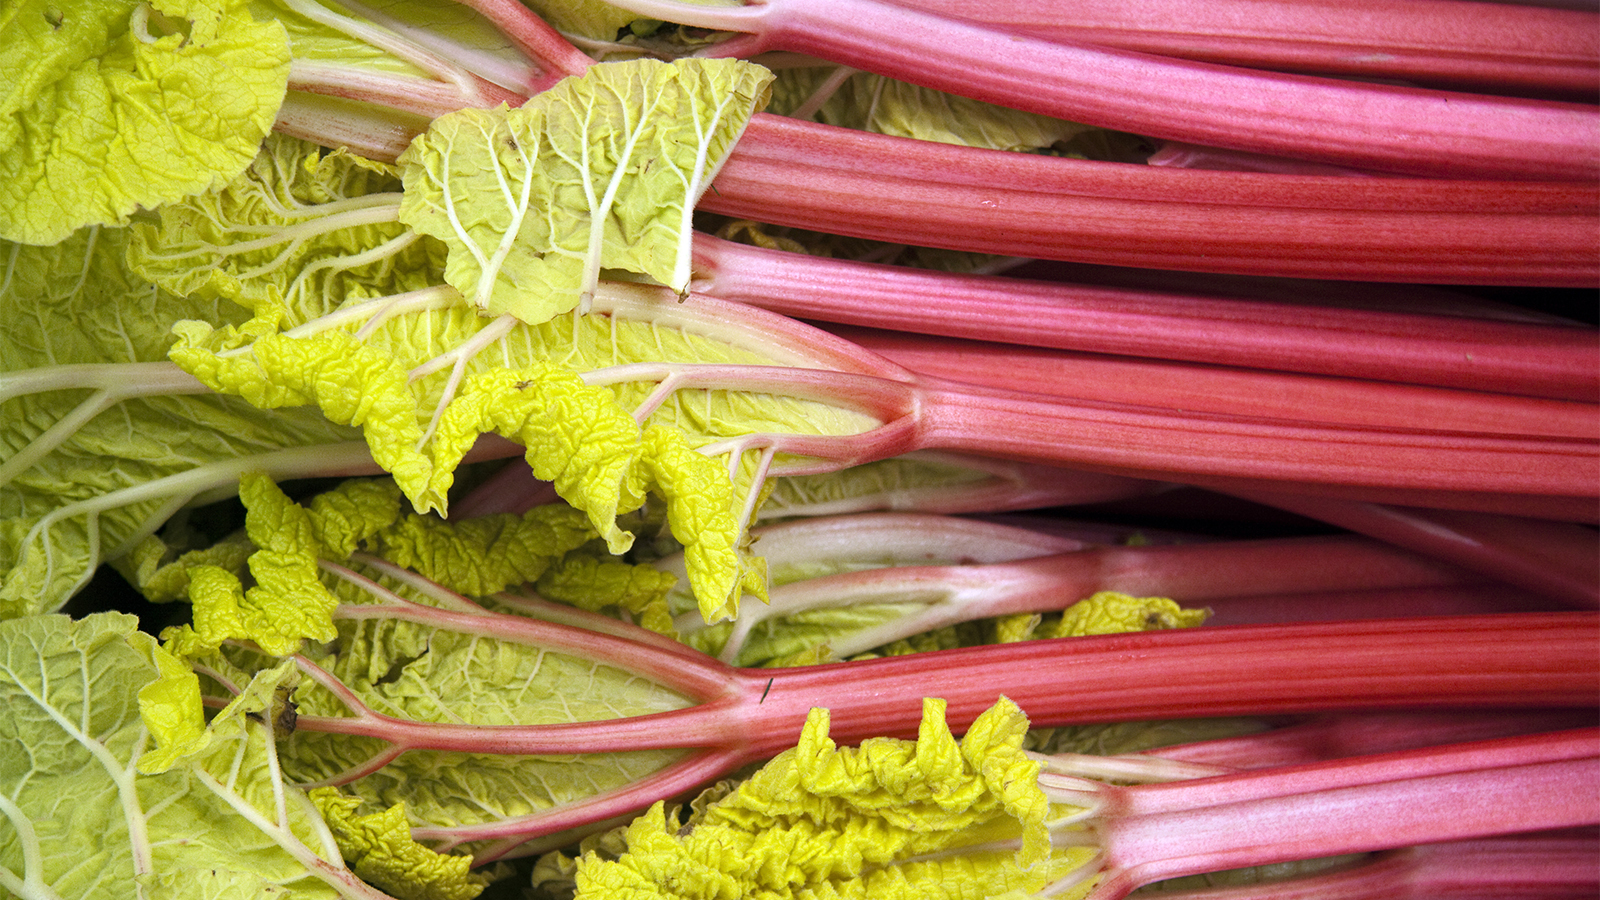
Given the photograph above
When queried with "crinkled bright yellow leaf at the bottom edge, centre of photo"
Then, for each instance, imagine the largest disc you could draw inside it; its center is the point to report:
(932, 818)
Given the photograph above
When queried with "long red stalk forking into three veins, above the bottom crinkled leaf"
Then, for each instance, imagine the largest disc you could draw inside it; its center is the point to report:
(740, 717)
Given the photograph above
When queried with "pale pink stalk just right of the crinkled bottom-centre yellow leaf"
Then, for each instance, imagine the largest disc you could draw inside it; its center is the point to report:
(1377, 803)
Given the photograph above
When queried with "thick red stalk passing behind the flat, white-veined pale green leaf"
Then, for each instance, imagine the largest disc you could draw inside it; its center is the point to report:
(834, 180)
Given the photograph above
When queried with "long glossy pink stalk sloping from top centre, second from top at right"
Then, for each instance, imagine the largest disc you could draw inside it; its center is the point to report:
(1393, 129)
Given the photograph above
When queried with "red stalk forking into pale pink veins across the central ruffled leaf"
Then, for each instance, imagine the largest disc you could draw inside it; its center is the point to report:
(1162, 444)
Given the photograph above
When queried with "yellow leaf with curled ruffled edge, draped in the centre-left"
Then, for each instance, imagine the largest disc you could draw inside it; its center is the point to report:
(426, 384)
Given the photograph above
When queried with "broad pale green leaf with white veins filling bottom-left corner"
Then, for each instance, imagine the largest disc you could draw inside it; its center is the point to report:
(82, 821)
